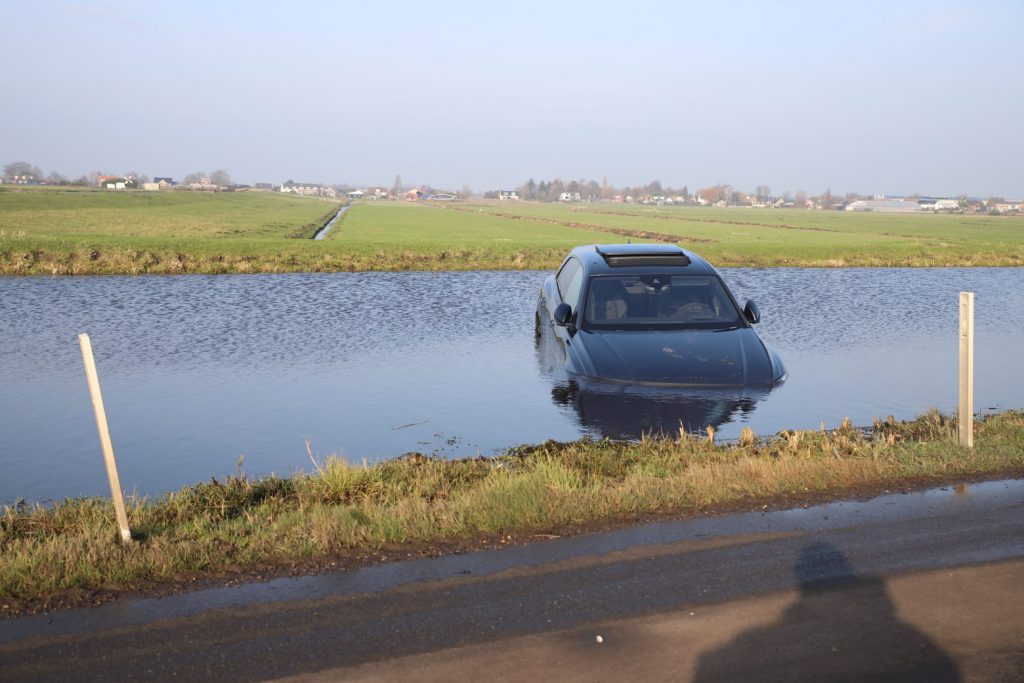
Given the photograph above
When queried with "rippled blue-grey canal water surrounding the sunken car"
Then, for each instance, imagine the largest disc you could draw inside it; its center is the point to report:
(199, 372)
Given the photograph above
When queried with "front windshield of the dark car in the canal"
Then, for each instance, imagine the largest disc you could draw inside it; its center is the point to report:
(655, 302)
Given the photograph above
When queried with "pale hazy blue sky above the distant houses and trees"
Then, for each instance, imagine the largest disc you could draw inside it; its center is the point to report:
(874, 98)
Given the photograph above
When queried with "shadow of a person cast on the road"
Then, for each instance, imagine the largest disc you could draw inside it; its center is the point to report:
(843, 628)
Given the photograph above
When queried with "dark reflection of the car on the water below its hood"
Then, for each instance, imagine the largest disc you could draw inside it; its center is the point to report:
(628, 412)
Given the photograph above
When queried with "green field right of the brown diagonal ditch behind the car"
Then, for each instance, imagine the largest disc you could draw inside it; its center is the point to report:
(774, 237)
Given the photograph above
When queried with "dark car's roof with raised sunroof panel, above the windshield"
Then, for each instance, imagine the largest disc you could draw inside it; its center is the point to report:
(608, 260)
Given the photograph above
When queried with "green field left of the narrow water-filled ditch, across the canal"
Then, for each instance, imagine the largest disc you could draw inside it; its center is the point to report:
(105, 233)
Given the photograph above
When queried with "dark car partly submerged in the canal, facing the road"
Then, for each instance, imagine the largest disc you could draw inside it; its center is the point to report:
(652, 315)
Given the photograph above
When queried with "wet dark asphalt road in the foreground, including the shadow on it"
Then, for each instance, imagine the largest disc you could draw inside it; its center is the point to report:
(879, 588)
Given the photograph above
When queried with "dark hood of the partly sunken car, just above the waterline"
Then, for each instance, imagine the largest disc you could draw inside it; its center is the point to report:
(695, 358)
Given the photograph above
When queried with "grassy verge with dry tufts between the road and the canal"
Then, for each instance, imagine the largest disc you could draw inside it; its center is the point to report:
(345, 514)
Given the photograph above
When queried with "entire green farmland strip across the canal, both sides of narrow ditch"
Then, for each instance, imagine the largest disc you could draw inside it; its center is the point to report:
(49, 232)
